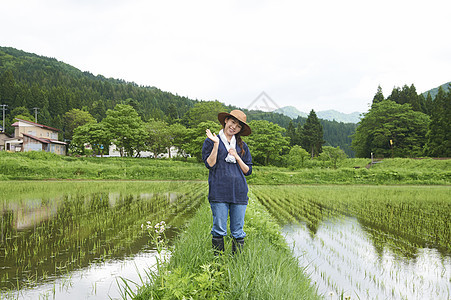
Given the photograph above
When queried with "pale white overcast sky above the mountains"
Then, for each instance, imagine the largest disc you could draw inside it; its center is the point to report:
(317, 55)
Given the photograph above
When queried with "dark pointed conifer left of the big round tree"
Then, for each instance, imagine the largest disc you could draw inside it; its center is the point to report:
(312, 135)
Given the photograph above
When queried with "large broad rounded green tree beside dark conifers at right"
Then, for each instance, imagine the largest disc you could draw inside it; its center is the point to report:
(391, 129)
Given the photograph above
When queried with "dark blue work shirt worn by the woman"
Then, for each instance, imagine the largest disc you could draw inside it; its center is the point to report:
(226, 181)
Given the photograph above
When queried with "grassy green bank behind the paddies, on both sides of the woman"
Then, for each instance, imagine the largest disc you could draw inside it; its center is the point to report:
(47, 166)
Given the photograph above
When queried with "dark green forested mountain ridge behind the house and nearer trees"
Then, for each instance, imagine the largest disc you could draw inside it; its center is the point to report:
(29, 81)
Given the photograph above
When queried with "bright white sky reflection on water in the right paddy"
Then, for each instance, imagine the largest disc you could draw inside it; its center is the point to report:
(343, 258)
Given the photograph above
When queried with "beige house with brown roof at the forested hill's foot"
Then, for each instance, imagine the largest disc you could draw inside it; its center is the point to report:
(30, 136)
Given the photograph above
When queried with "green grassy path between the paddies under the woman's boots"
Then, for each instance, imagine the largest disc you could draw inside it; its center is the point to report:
(266, 268)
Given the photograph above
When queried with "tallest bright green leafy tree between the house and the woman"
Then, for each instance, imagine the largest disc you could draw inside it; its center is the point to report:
(127, 129)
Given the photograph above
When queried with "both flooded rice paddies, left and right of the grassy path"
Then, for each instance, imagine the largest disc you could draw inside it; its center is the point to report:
(68, 239)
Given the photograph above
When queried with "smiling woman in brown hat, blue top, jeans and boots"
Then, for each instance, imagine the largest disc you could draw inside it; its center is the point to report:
(228, 159)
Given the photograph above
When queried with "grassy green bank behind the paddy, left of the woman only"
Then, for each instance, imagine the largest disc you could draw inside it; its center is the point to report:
(44, 166)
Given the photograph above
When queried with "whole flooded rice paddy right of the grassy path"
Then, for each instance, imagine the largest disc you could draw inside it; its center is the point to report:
(368, 242)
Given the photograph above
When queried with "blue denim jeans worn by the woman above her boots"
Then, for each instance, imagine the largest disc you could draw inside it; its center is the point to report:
(220, 213)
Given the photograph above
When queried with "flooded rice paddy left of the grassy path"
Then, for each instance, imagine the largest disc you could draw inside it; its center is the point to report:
(52, 231)
